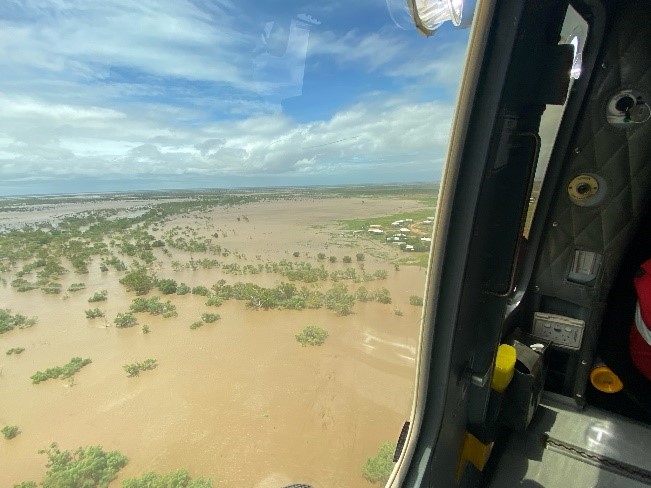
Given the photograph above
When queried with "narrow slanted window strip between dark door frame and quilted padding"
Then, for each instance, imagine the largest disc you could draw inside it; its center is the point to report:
(574, 32)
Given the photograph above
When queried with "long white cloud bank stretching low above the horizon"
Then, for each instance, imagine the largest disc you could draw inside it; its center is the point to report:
(371, 133)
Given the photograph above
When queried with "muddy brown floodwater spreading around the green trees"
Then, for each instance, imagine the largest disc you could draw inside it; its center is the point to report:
(239, 400)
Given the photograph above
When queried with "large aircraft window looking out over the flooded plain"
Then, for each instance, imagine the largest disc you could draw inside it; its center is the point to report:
(215, 223)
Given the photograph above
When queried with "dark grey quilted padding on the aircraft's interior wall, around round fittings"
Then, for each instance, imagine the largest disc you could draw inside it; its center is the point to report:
(622, 156)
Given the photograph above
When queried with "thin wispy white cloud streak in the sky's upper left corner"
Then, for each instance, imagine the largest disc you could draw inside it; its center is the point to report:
(175, 39)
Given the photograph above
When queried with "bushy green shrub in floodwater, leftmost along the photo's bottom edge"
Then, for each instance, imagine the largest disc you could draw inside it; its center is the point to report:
(88, 467)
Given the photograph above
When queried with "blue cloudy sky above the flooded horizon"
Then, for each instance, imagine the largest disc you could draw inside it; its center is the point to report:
(122, 94)
